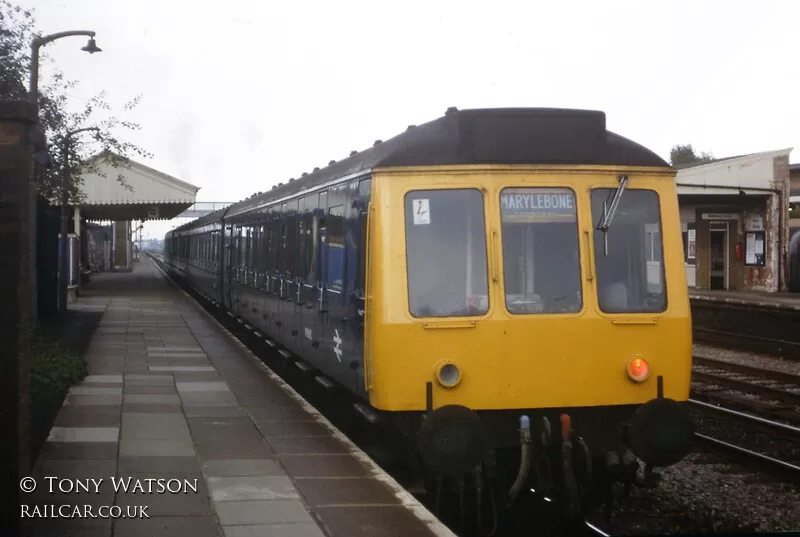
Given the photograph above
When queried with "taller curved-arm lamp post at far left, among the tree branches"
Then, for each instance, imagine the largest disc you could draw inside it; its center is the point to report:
(33, 96)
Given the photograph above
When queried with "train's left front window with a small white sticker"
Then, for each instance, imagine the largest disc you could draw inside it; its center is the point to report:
(446, 253)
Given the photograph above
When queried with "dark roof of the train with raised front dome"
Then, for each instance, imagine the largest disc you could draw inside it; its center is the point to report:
(478, 136)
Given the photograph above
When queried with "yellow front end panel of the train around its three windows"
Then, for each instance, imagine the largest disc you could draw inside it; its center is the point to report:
(507, 360)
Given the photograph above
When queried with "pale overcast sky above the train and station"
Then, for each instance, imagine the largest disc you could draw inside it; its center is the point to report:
(240, 95)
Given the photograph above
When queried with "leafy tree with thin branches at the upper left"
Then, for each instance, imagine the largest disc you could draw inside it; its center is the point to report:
(17, 31)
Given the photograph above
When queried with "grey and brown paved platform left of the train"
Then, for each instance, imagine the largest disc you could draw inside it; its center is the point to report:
(172, 395)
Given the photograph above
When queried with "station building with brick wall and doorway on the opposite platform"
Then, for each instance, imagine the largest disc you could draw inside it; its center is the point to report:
(734, 216)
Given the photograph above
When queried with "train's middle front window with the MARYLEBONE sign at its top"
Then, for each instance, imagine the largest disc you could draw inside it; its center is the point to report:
(541, 255)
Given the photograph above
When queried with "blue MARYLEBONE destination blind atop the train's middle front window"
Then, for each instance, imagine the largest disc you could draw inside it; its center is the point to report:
(537, 205)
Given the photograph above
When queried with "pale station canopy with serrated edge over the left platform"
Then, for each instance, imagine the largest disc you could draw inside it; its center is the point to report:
(147, 194)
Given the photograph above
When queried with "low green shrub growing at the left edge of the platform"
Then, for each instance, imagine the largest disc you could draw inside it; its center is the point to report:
(52, 372)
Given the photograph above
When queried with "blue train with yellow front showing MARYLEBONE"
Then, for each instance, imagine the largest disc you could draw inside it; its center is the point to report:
(504, 288)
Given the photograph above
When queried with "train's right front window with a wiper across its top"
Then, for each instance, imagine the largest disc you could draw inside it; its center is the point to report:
(630, 271)
